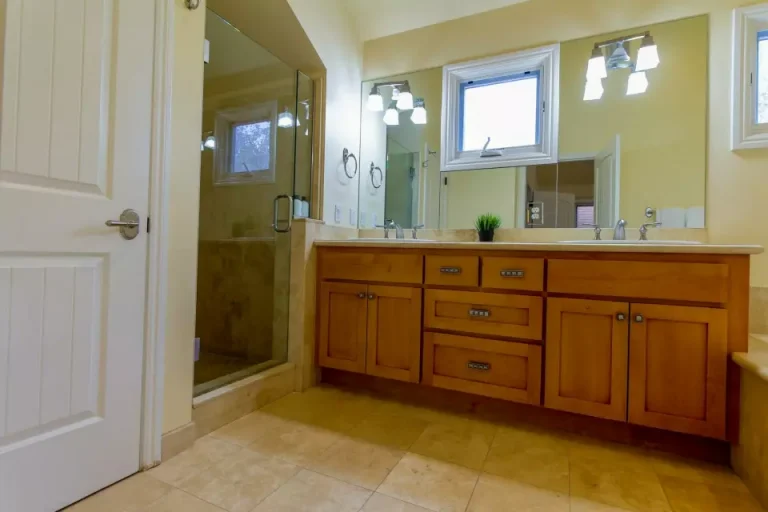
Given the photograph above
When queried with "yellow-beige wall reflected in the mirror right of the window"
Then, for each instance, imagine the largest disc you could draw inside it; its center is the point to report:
(663, 132)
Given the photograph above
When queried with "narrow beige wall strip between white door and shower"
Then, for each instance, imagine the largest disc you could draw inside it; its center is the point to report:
(183, 200)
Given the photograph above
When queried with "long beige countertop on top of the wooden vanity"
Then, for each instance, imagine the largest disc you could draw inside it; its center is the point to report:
(631, 247)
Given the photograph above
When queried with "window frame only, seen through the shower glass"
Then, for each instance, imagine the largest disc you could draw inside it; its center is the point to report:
(226, 121)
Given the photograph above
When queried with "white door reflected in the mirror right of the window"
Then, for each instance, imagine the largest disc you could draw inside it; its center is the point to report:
(608, 184)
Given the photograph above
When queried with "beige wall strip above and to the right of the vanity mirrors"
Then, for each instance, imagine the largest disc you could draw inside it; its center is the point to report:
(737, 183)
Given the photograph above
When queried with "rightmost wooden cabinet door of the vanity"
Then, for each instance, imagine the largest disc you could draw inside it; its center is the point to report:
(677, 369)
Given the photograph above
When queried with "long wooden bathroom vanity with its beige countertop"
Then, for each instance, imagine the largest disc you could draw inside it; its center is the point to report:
(636, 333)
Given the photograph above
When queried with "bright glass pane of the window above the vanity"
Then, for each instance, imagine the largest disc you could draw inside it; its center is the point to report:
(504, 109)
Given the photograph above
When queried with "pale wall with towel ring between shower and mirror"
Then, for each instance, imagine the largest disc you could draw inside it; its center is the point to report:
(334, 35)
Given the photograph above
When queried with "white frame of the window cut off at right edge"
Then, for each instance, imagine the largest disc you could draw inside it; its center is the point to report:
(746, 133)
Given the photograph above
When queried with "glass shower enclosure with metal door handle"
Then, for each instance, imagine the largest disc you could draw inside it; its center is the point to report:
(256, 162)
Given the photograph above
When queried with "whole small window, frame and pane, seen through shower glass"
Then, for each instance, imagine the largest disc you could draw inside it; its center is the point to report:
(246, 143)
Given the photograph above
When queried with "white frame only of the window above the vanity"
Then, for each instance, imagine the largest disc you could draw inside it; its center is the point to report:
(545, 60)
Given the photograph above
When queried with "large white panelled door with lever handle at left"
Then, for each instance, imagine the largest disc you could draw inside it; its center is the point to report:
(76, 91)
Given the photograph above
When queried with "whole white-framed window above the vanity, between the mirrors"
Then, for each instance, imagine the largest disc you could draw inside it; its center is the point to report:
(511, 100)
